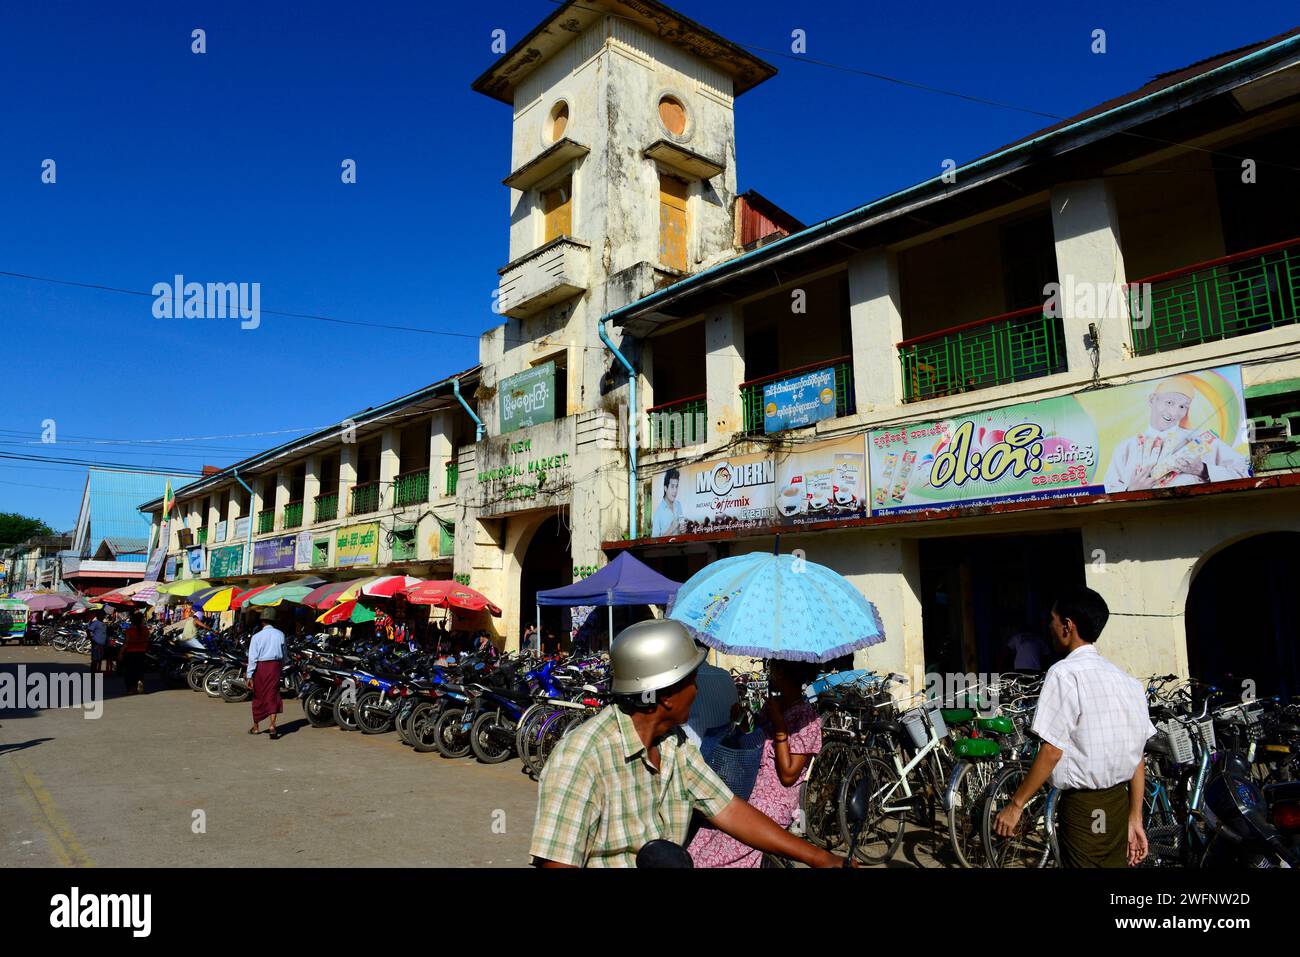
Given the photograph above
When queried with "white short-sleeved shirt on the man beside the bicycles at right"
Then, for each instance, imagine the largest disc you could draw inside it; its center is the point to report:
(1097, 714)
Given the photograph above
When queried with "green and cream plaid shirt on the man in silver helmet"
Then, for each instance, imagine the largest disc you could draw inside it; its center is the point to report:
(601, 799)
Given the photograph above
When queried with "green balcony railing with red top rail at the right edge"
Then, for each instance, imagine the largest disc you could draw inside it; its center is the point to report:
(1236, 296)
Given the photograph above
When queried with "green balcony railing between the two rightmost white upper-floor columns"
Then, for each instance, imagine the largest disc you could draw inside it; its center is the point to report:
(990, 353)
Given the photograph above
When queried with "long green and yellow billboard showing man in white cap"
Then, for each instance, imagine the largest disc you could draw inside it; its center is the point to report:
(1185, 430)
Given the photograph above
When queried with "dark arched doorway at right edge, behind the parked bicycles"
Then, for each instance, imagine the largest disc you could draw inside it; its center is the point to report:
(1238, 622)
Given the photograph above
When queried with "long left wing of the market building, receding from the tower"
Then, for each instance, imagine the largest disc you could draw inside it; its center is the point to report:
(374, 495)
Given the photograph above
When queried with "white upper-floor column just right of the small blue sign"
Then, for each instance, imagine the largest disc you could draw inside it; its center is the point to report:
(876, 315)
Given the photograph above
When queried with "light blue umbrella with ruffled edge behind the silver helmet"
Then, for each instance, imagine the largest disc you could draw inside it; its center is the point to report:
(778, 607)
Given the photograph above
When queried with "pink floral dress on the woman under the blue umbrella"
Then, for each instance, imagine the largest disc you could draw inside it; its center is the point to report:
(712, 848)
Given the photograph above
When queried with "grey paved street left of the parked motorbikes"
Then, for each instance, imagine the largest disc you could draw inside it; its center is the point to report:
(123, 790)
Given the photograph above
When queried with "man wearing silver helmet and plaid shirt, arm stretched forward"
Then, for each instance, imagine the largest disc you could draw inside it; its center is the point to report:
(629, 776)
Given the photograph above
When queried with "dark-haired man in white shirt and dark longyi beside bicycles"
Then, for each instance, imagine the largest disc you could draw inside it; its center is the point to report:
(1094, 725)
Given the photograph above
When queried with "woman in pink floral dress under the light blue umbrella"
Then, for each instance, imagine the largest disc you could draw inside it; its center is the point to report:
(794, 737)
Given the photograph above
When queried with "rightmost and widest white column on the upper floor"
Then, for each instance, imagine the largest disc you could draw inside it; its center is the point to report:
(1091, 270)
